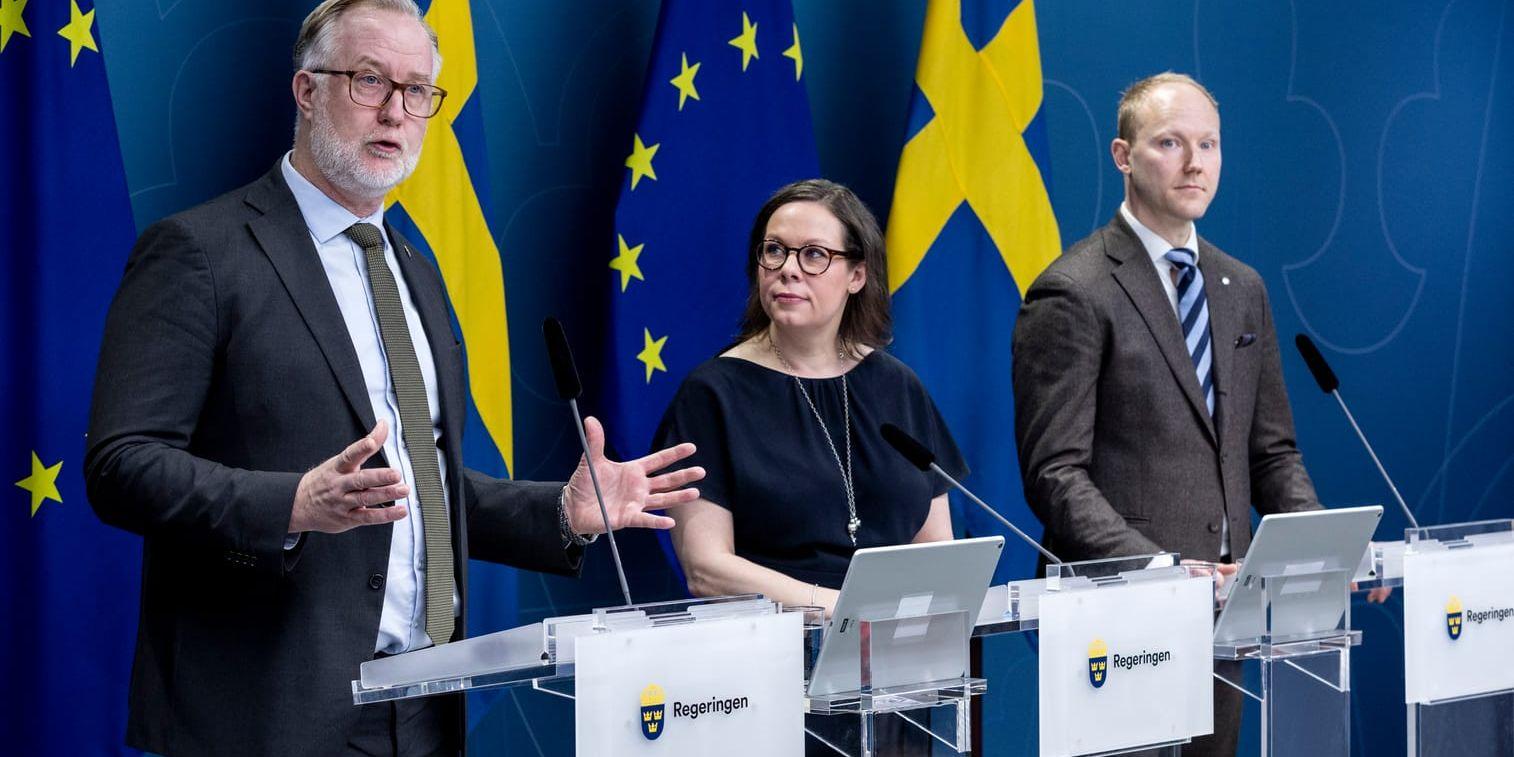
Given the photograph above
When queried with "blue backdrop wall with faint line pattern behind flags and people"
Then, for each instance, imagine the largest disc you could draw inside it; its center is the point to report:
(1368, 178)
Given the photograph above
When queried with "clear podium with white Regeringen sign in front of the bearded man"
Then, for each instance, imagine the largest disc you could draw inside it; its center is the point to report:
(684, 678)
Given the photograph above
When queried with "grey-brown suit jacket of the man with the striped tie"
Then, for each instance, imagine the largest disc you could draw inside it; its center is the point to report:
(1118, 450)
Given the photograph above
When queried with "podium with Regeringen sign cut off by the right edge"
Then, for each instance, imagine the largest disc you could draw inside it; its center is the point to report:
(1459, 638)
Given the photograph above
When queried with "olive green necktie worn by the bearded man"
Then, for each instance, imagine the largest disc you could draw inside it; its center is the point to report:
(416, 425)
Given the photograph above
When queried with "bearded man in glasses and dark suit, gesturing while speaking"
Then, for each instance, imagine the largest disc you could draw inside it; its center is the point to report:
(279, 413)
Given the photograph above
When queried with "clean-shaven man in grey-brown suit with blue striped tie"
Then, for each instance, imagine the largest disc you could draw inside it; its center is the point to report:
(1150, 405)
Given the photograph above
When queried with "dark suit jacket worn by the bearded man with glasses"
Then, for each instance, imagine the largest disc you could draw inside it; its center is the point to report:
(225, 375)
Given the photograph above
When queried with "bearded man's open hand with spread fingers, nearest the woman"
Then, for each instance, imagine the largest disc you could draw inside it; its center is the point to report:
(631, 490)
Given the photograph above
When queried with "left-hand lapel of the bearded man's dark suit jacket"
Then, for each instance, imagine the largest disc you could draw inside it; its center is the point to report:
(287, 241)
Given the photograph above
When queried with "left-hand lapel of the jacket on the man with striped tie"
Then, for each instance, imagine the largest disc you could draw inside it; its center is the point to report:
(1139, 279)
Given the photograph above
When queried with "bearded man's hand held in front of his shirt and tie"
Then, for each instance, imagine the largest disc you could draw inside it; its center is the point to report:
(338, 494)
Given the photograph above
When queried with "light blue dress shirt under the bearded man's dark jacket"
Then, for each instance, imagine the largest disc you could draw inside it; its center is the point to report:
(402, 628)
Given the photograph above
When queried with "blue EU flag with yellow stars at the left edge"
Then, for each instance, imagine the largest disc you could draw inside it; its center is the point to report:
(69, 611)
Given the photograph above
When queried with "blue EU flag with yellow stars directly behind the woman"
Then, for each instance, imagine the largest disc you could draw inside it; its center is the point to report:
(724, 123)
